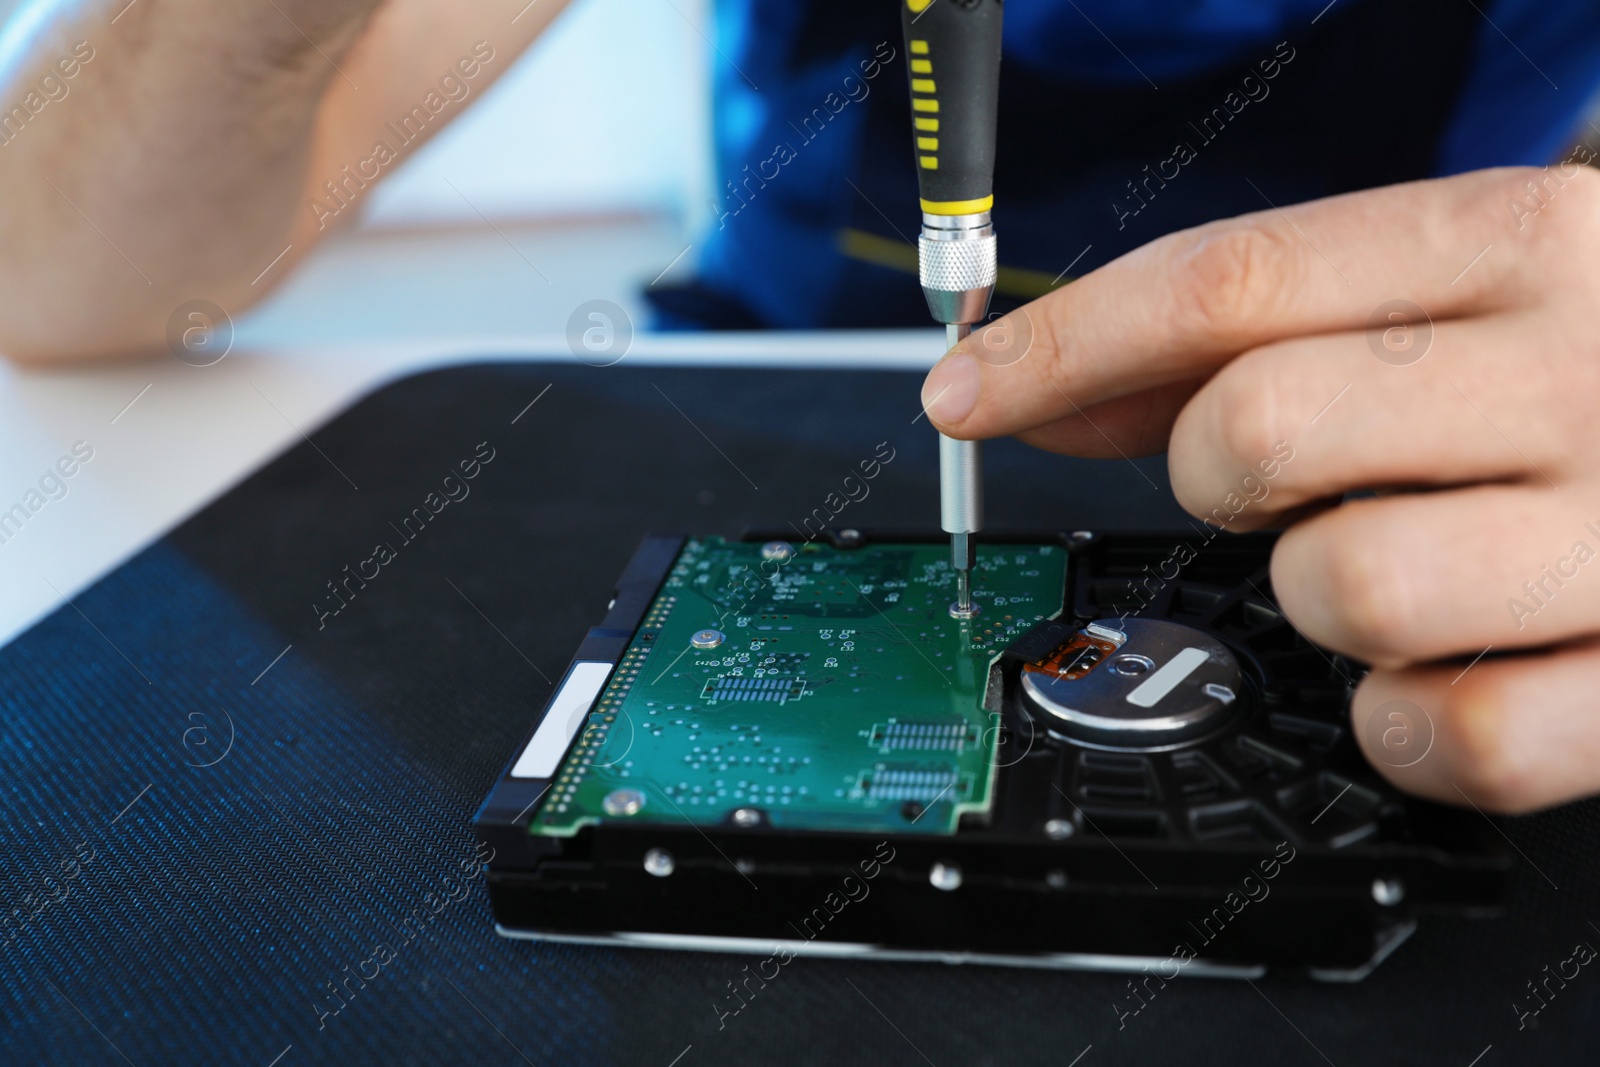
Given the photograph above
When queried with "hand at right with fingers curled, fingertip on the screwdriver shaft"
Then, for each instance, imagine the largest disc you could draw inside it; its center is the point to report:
(1439, 340)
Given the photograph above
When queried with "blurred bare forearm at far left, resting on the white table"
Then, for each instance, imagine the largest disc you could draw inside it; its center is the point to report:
(154, 159)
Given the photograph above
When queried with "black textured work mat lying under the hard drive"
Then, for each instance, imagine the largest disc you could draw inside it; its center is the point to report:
(207, 837)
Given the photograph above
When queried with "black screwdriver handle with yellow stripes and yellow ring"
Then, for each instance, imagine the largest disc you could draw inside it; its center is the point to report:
(953, 50)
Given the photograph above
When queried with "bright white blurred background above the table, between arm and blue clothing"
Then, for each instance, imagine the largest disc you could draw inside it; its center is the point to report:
(567, 134)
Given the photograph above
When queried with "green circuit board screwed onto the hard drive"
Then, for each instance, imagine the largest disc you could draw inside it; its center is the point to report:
(823, 689)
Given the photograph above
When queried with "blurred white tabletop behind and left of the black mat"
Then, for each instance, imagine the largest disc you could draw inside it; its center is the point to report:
(170, 438)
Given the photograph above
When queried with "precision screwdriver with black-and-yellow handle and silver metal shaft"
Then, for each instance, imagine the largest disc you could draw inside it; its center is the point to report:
(954, 57)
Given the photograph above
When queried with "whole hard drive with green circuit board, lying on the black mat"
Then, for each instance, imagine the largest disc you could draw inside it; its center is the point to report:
(1127, 761)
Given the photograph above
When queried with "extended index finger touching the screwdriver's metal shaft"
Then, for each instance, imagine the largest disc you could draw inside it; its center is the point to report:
(1191, 302)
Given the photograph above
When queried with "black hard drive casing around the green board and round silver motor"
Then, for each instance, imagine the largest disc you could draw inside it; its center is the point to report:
(1292, 855)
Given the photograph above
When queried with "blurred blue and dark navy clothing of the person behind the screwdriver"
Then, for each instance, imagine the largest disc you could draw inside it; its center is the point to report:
(1121, 121)
